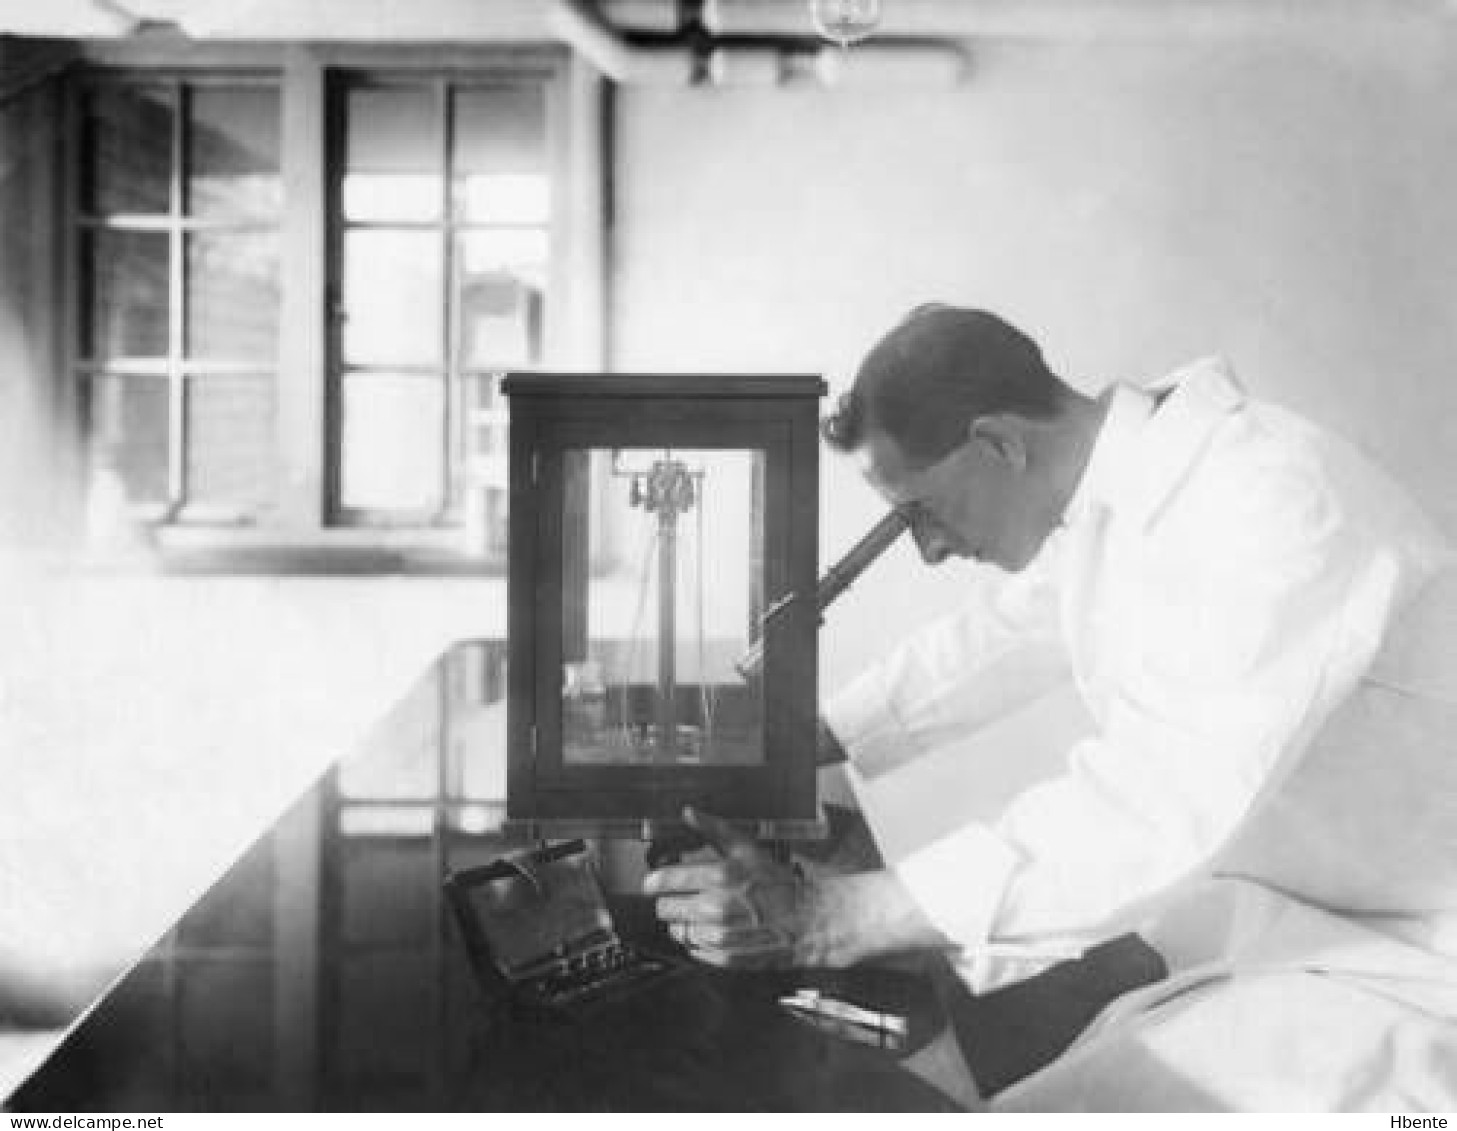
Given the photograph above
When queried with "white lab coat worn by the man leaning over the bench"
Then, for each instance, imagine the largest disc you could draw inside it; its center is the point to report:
(1271, 782)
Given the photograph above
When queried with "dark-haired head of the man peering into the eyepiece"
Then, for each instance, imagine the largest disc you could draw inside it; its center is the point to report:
(959, 423)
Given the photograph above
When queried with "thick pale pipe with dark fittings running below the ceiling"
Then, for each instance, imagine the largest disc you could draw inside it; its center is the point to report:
(697, 56)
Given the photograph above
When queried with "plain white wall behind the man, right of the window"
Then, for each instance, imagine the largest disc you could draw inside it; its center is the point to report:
(1287, 203)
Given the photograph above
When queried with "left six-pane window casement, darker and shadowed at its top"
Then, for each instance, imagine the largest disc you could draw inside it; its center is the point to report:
(180, 202)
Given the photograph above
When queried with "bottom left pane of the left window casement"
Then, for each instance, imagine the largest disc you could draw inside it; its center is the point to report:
(130, 435)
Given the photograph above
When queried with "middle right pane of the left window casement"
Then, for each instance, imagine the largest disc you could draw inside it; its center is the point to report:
(232, 297)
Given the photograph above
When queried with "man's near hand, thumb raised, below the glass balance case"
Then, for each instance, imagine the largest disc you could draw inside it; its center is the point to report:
(750, 910)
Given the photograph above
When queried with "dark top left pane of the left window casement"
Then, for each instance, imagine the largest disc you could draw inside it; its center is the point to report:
(129, 149)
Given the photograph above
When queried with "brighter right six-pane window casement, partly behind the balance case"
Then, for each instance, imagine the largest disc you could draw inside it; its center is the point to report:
(442, 259)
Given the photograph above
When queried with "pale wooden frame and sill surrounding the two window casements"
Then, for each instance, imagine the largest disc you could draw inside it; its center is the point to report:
(302, 533)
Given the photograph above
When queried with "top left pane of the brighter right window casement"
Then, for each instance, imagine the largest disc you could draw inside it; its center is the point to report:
(393, 167)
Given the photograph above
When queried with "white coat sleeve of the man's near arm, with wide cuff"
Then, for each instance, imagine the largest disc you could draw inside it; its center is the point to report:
(1277, 611)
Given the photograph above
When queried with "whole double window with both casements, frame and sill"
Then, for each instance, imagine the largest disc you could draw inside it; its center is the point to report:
(299, 275)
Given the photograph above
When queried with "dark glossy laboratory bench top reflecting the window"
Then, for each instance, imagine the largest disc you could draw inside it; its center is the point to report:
(324, 973)
